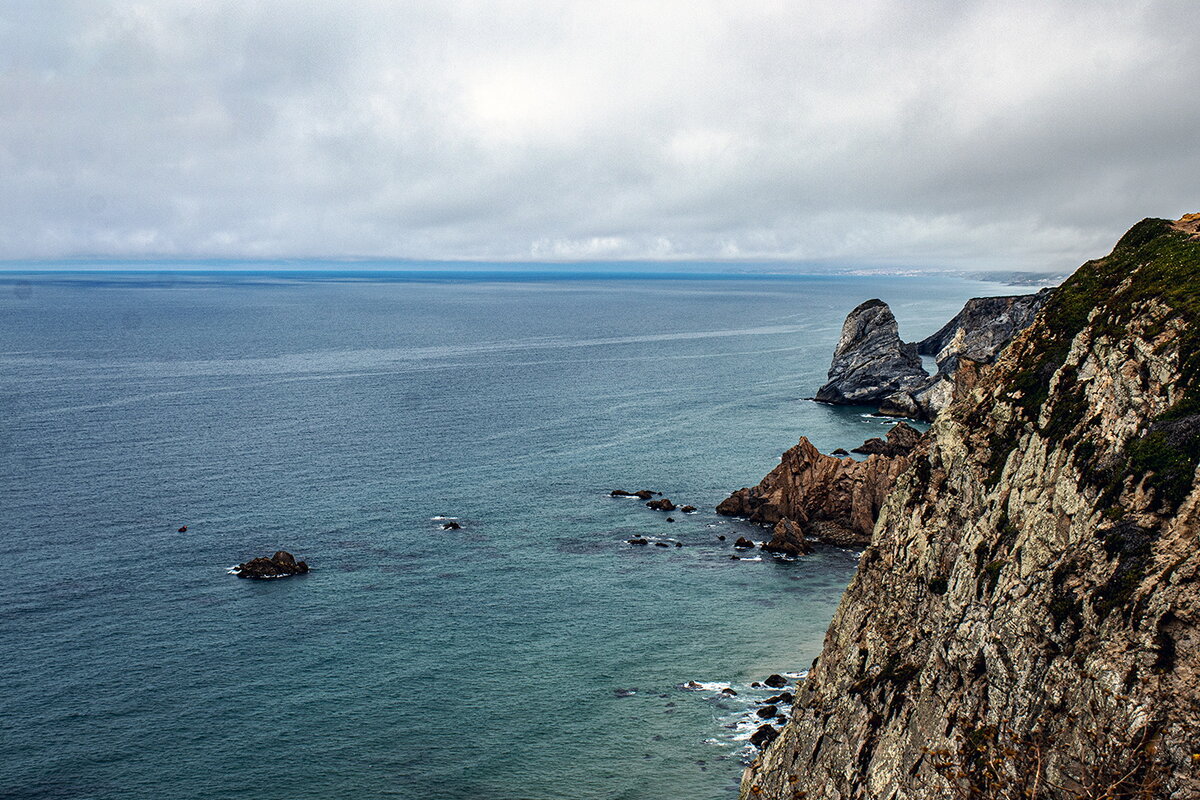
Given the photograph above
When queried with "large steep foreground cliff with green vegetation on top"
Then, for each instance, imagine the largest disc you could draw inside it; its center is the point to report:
(1027, 615)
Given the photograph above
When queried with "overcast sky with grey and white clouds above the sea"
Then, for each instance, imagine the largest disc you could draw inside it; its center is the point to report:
(940, 135)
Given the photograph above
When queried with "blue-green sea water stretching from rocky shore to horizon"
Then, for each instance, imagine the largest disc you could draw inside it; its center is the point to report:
(337, 419)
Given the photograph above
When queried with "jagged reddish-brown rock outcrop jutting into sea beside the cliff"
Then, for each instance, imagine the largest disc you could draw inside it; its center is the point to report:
(835, 500)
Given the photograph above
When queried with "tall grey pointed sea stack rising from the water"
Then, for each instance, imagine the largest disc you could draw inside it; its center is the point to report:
(871, 360)
